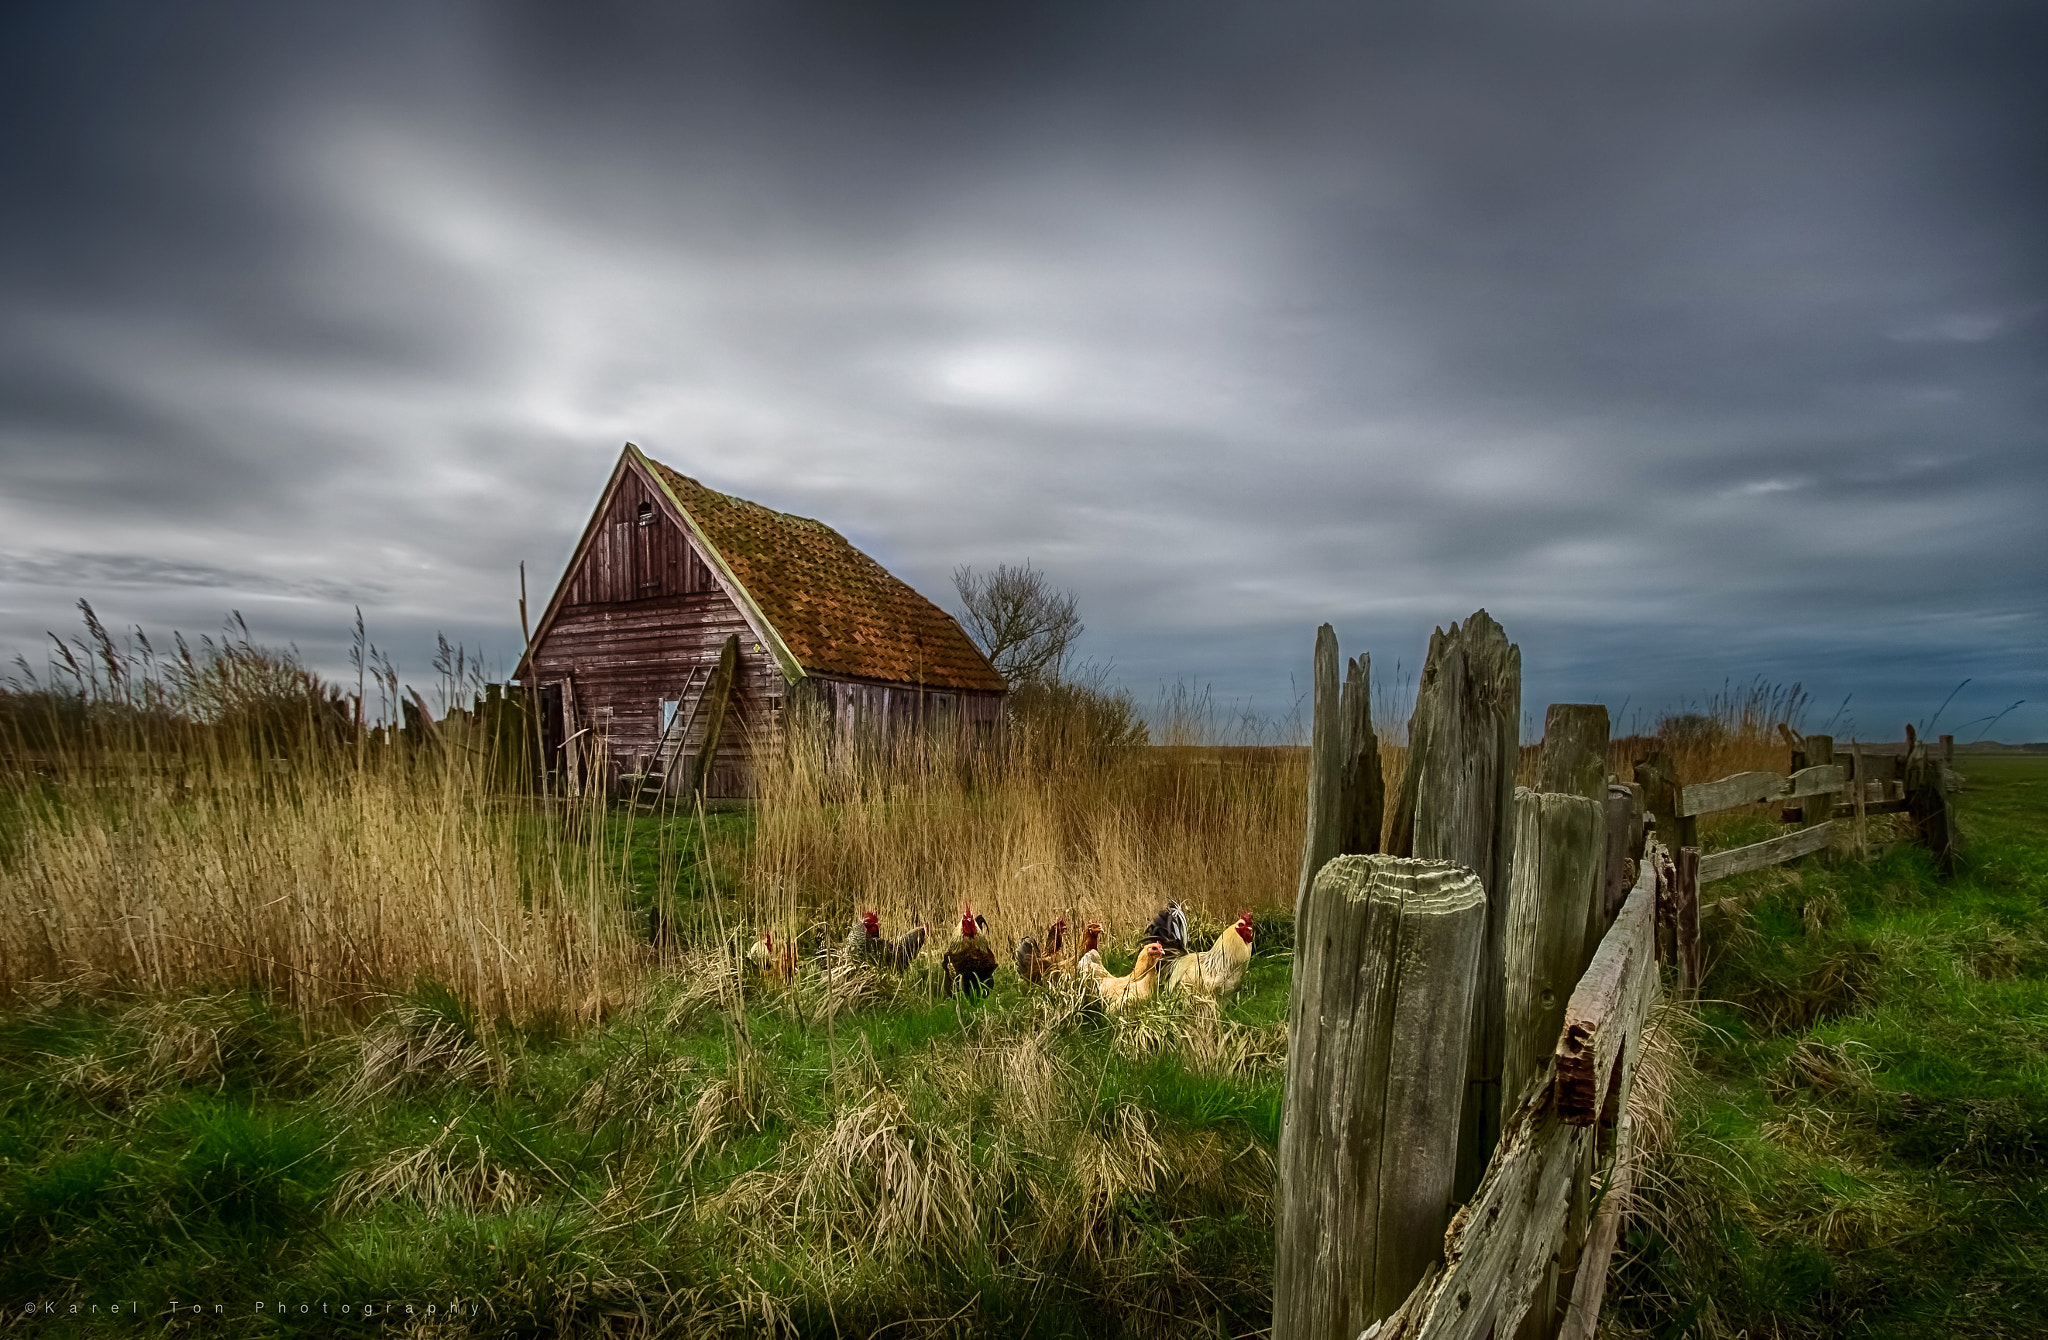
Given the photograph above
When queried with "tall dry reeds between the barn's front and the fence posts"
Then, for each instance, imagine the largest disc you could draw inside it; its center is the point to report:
(1041, 825)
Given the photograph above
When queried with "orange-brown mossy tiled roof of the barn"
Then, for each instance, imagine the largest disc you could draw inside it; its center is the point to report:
(837, 610)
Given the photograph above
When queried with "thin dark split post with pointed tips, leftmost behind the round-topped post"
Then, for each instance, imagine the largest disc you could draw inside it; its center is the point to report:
(1347, 794)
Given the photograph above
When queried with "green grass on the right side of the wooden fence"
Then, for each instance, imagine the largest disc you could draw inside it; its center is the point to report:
(1863, 1142)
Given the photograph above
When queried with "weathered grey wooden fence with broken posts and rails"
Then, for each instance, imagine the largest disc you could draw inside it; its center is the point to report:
(1469, 1005)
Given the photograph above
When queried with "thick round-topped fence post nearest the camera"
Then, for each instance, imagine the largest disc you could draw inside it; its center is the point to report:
(1379, 1025)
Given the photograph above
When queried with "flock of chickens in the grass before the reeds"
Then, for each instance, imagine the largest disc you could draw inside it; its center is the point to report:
(1164, 962)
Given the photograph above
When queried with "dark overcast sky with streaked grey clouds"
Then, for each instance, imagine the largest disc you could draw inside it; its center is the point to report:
(1695, 341)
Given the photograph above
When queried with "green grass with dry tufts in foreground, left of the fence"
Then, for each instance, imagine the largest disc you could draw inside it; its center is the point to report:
(1013, 1167)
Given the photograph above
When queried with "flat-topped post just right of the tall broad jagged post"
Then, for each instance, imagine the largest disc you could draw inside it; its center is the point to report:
(1560, 849)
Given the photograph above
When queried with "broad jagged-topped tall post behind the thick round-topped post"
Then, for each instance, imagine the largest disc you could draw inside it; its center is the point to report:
(1457, 804)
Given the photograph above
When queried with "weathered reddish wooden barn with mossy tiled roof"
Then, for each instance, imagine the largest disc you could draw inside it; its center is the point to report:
(667, 577)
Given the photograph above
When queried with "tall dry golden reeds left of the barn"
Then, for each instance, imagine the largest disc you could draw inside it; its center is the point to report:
(148, 843)
